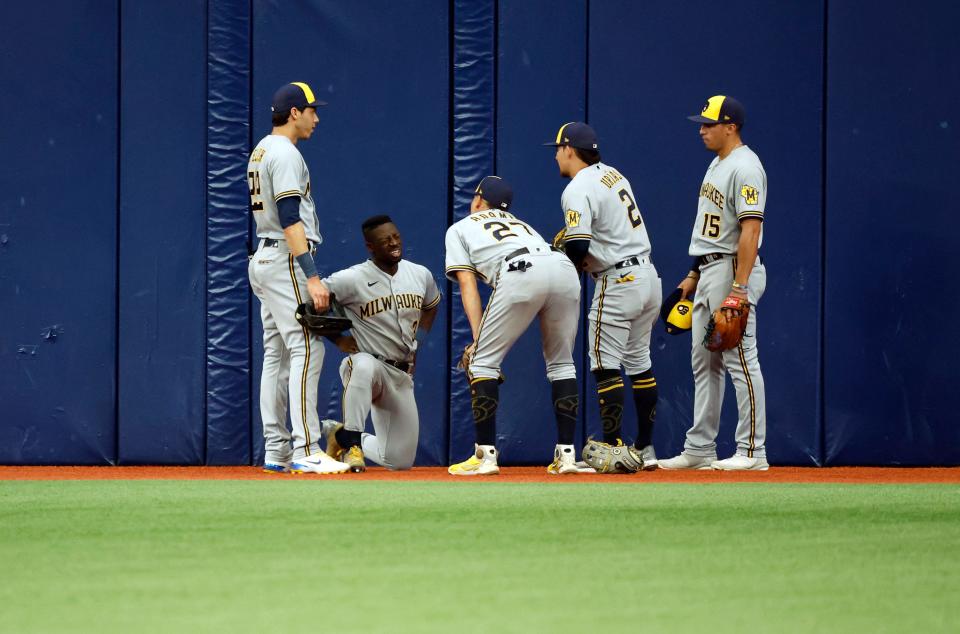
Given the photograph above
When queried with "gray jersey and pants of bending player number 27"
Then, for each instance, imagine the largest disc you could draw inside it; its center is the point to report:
(530, 280)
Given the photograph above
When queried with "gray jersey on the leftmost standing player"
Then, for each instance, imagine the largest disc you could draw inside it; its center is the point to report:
(277, 170)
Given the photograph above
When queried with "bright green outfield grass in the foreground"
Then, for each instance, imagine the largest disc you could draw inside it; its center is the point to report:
(297, 555)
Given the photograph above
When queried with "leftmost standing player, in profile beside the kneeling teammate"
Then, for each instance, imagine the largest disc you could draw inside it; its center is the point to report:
(283, 275)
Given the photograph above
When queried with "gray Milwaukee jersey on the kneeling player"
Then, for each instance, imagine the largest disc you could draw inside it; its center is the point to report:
(385, 309)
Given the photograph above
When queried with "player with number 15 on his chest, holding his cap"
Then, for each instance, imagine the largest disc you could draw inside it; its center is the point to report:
(726, 237)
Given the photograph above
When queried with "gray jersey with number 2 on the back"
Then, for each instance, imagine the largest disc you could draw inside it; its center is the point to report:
(599, 204)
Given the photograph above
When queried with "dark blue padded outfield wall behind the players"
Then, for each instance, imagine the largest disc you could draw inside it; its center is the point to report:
(129, 333)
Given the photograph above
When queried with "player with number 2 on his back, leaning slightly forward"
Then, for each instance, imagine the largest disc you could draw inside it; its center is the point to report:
(606, 236)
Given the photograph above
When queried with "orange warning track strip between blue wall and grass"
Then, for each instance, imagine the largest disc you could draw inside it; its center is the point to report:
(830, 475)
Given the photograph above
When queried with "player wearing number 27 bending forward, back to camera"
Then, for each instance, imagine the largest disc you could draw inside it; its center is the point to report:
(529, 279)
